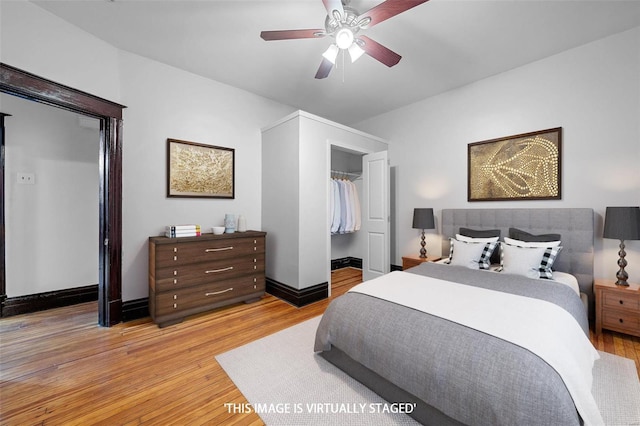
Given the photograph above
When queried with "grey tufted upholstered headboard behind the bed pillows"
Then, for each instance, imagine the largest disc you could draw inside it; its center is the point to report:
(576, 227)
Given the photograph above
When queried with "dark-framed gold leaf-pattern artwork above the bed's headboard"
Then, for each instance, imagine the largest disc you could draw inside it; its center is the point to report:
(519, 167)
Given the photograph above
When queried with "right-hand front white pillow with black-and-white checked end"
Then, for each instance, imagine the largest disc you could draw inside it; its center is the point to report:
(531, 262)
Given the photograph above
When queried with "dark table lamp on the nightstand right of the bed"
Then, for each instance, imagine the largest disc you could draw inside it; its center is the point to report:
(622, 223)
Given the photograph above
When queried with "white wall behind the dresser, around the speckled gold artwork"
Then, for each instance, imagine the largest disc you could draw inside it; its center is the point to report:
(164, 102)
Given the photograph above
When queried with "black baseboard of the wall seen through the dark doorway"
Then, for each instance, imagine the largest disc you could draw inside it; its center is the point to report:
(53, 299)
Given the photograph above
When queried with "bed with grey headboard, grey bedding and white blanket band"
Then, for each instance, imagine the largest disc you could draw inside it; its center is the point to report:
(449, 340)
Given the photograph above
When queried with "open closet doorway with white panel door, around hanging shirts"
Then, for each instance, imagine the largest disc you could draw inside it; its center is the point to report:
(369, 173)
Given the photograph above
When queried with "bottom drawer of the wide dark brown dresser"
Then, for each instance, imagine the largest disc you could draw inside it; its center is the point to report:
(184, 300)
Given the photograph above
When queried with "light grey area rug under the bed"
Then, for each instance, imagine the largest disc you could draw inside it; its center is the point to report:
(287, 384)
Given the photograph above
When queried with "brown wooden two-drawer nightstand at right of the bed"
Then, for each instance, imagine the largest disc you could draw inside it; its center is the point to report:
(617, 307)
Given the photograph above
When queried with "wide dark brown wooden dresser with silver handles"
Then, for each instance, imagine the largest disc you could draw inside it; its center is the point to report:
(189, 275)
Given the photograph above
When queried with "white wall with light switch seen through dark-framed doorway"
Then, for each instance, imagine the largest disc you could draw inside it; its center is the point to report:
(51, 224)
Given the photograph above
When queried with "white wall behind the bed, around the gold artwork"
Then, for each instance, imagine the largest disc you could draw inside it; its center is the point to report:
(592, 92)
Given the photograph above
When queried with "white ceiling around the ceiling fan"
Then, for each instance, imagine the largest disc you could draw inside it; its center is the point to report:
(444, 44)
